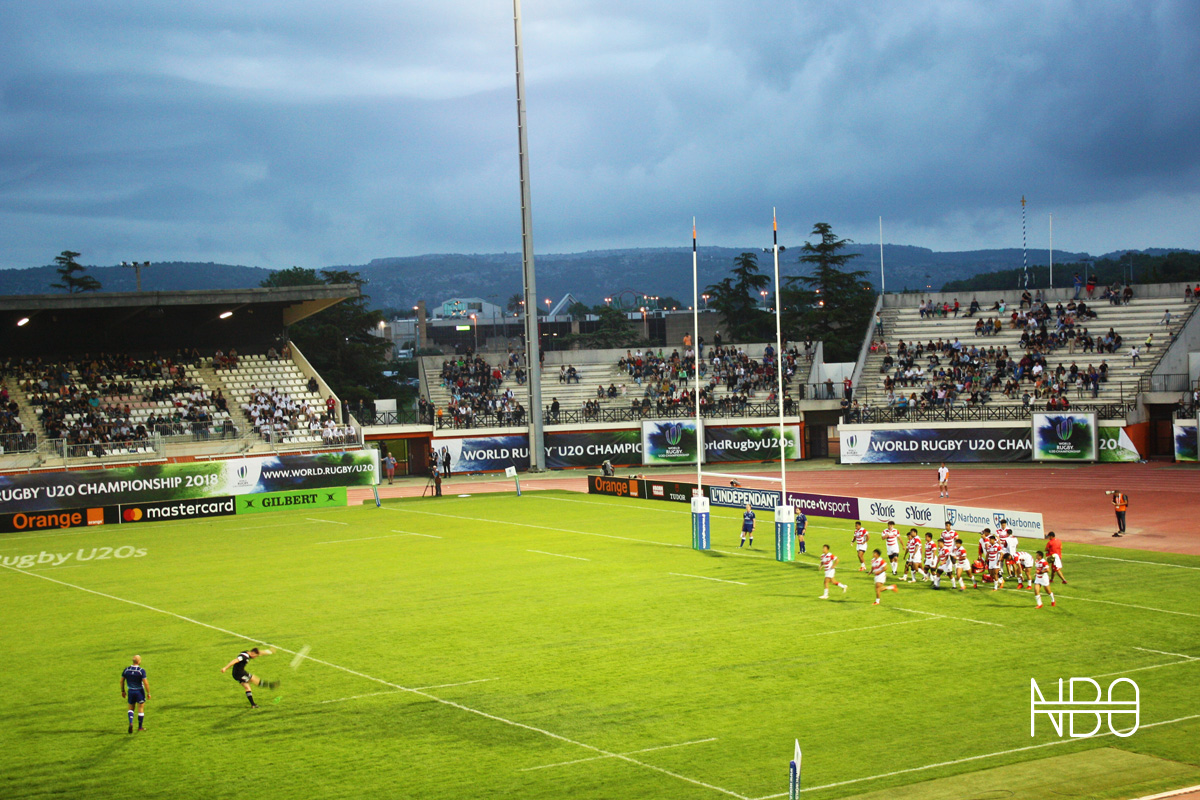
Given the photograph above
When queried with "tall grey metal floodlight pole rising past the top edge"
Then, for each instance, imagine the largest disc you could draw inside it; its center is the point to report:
(537, 438)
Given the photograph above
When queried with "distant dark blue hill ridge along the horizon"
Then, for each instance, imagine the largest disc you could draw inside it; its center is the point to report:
(591, 276)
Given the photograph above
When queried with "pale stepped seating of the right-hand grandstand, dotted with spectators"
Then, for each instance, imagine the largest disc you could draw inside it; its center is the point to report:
(1117, 393)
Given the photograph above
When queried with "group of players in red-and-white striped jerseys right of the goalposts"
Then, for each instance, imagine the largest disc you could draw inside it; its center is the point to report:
(999, 558)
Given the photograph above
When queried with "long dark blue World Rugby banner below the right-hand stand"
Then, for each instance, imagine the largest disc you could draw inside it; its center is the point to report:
(932, 446)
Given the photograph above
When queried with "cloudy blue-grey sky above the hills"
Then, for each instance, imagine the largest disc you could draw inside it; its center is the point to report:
(275, 134)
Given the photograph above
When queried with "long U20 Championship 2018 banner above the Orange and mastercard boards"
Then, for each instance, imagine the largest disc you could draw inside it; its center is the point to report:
(194, 480)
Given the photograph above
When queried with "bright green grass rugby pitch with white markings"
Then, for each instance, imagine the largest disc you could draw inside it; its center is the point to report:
(560, 646)
